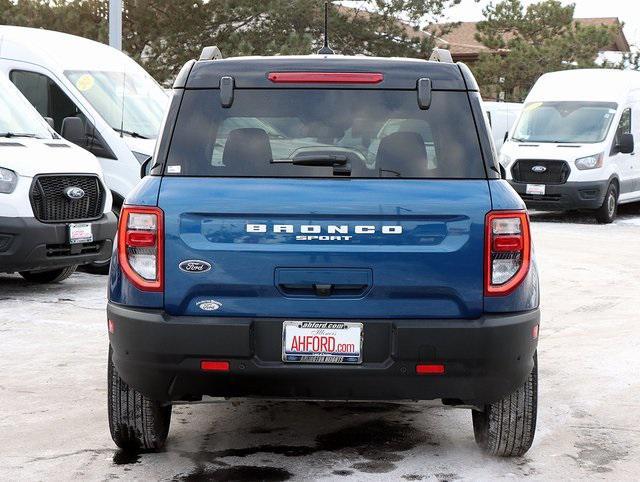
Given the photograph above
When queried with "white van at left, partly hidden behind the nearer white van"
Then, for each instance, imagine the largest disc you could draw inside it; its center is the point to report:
(120, 105)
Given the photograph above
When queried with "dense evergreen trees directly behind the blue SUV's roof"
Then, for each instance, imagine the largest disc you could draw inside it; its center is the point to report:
(163, 34)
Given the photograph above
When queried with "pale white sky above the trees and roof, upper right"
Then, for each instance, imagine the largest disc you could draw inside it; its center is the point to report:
(628, 11)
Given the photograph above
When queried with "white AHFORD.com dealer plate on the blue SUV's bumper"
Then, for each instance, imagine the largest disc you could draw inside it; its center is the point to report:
(321, 342)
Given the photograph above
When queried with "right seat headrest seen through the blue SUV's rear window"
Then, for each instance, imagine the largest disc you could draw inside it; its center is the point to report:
(403, 152)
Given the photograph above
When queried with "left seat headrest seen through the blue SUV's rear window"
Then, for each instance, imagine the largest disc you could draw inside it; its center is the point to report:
(249, 146)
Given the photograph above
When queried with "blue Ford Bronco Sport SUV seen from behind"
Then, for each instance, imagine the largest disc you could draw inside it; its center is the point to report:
(324, 227)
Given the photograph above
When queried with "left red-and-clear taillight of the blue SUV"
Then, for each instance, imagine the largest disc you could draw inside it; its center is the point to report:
(140, 246)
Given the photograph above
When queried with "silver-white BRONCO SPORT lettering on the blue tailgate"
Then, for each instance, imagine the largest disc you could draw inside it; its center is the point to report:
(315, 232)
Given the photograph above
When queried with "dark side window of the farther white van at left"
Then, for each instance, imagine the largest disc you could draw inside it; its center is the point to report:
(48, 99)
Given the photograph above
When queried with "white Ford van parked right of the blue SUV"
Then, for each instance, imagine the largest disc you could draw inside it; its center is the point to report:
(573, 144)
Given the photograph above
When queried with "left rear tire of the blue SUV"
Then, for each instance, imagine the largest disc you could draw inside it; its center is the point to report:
(136, 422)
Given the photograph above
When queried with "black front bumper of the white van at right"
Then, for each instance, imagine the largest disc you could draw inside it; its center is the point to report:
(564, 197)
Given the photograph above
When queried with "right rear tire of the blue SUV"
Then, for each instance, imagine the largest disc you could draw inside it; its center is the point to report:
(506, 428)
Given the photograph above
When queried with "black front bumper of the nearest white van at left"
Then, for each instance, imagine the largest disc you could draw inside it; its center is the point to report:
(27, 244)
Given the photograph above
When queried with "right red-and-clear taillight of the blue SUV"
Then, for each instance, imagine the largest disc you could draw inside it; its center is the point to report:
(507, 251)
